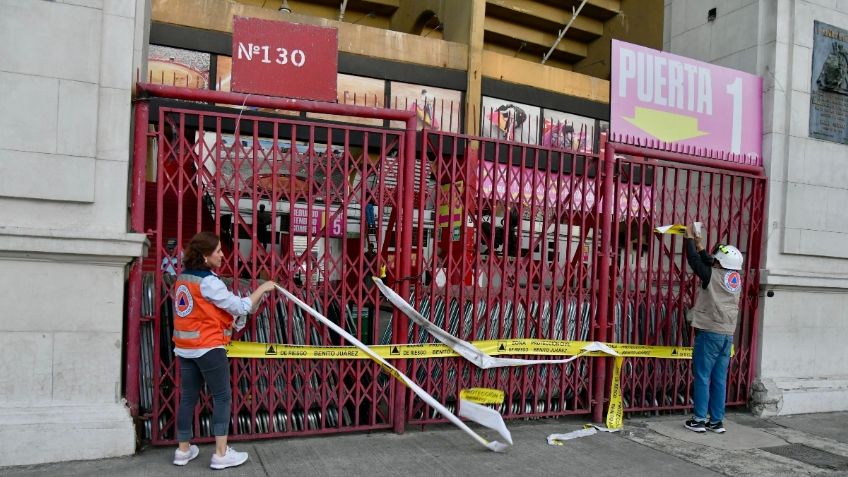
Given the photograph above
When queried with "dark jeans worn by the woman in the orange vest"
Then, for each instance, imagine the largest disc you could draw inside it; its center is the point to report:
(214, 368)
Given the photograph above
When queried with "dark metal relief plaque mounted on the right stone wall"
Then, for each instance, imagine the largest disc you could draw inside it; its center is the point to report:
(829, 84)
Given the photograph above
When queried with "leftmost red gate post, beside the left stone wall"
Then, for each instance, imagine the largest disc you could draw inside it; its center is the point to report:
(134, 286)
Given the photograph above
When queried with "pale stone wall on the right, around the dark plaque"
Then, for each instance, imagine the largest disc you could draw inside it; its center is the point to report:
(804, 325)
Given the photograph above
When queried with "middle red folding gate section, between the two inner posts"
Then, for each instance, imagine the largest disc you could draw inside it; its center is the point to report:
(504, 245)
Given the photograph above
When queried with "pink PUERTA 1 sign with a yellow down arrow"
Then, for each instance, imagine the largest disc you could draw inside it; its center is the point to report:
(665, 97)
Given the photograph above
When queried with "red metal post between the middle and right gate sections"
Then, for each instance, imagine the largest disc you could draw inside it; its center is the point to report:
(608, 198)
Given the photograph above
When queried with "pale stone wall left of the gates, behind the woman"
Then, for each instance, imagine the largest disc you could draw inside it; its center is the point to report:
(66, 72)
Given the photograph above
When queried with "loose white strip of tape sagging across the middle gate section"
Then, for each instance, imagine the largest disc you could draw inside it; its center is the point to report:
(468, 350)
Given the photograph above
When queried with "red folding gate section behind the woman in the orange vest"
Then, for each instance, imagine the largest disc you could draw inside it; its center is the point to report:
(290, 199)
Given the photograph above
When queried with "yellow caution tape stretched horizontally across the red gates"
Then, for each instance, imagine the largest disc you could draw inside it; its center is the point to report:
(525, 346)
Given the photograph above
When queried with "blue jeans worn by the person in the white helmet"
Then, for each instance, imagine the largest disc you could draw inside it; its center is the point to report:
(709, 366)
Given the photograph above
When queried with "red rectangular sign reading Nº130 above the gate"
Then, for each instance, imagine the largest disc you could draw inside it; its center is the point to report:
(284, 59)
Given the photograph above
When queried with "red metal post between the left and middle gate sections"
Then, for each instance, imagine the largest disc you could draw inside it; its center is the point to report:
(405, 220)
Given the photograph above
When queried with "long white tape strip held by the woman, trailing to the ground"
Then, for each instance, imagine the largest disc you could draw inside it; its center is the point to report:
(487, 417)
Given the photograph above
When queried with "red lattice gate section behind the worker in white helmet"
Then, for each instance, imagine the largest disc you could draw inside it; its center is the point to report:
(650, 279)
